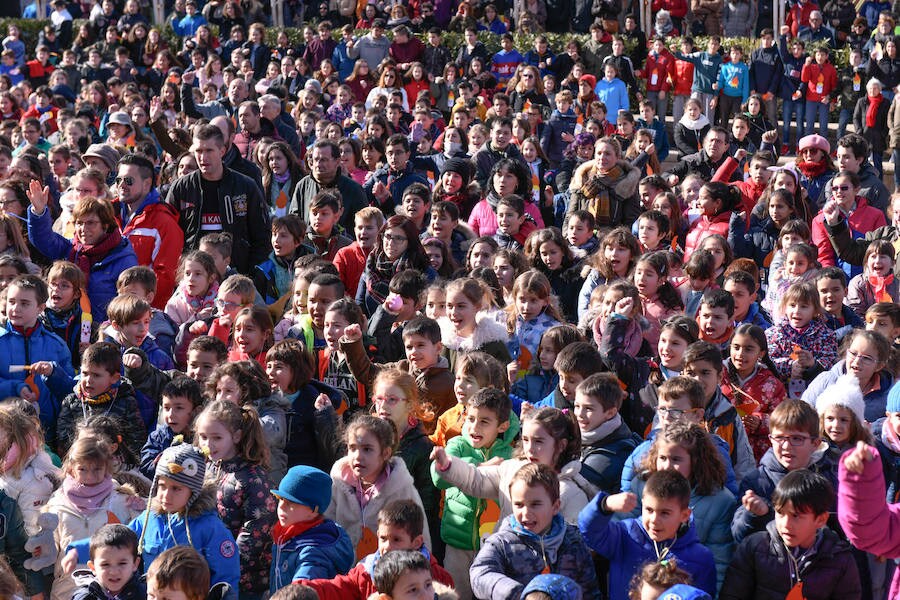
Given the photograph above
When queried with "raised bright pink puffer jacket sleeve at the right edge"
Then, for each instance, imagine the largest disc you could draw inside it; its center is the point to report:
(870, 523)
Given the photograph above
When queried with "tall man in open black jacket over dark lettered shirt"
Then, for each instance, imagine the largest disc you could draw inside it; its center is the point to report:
(216, 198)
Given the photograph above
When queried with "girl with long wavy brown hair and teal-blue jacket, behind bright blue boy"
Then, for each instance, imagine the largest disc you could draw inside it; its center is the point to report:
(688, 449)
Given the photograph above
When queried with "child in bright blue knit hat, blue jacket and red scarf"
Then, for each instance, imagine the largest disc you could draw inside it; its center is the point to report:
(306, 545)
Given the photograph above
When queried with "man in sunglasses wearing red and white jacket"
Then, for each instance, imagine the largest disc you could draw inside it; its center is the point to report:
(150, 224)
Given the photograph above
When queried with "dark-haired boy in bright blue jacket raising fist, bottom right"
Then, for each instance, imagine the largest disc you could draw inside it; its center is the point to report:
(664, 531)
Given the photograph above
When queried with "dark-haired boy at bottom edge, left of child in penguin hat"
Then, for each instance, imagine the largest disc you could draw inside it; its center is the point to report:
(114, 566)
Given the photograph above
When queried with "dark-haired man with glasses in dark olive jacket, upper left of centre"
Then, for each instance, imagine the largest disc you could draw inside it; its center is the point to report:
(325, 173)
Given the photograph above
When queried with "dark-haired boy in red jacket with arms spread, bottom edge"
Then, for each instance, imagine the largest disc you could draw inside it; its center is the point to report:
(400, 528)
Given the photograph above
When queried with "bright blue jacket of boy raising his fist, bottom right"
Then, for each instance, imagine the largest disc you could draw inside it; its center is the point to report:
(627, 545)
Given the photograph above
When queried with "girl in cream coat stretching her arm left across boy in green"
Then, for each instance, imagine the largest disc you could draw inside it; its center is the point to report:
(549, 437)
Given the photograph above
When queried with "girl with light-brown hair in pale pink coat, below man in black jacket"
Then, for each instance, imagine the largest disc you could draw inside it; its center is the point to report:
(198, 285)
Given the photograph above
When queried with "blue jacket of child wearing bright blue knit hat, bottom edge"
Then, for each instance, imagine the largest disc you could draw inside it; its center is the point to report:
(322, 552)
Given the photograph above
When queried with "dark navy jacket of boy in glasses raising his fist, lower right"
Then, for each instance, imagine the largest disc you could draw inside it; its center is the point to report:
(763, 482)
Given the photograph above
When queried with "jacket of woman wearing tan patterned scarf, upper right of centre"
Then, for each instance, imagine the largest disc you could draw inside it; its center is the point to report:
(624, 203)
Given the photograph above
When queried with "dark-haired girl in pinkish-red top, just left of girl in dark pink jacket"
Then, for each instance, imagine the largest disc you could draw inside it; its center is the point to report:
(659, 299)
